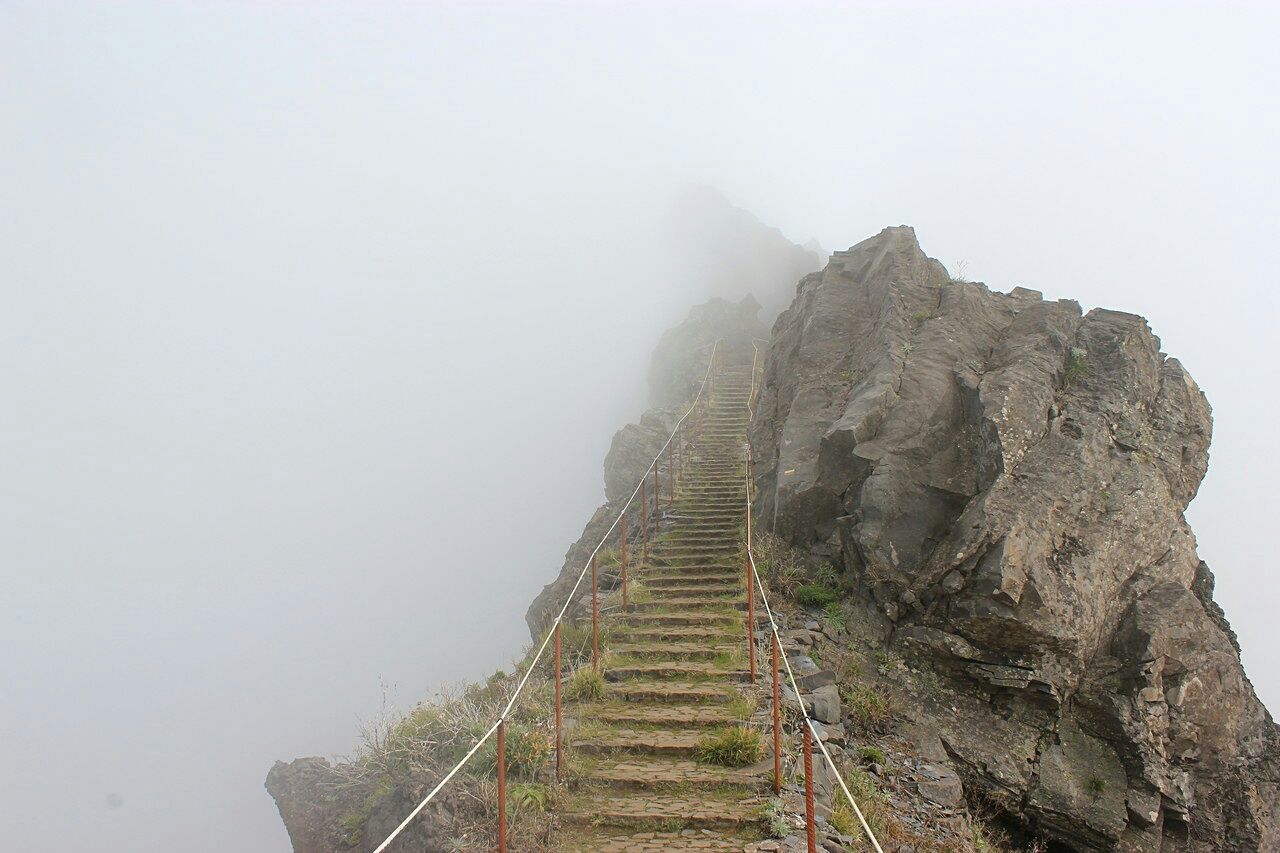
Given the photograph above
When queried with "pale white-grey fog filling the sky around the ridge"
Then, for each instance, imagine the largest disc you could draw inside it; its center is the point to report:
(318, 320)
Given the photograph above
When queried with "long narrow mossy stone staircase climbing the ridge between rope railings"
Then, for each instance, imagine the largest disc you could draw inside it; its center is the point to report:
(676, 669)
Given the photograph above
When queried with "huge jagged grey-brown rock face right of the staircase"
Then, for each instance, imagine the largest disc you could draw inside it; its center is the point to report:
(1005, 480)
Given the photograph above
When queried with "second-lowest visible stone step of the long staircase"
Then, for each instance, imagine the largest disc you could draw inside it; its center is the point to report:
(646, 810)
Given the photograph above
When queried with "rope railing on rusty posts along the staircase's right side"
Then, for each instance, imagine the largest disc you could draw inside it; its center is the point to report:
(811, 733)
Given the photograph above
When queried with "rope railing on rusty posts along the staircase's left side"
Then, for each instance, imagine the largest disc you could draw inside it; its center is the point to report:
(674, 451)
